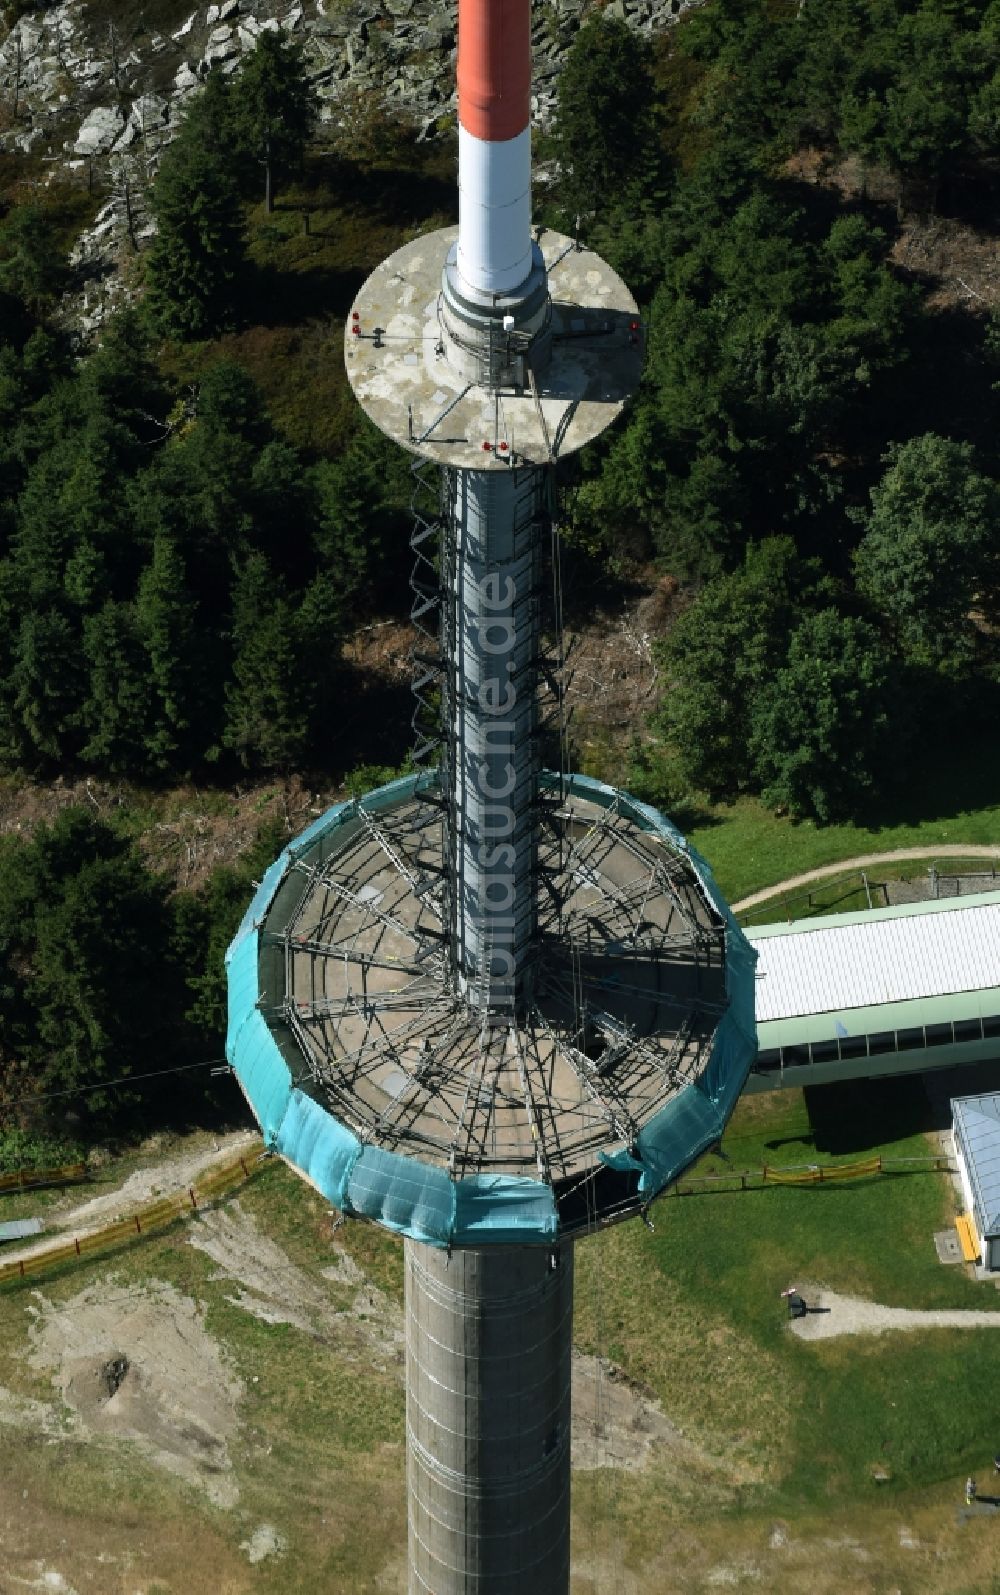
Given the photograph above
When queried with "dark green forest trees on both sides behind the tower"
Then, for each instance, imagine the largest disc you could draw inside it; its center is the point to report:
(195, 518)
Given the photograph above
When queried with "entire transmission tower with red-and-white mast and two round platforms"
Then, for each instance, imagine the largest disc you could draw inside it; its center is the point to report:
(490, 1007)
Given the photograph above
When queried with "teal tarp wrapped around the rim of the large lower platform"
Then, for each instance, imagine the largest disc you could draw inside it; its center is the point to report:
(420, 1200)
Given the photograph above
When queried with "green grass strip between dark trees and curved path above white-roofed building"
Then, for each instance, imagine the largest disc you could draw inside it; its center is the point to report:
(749, 848)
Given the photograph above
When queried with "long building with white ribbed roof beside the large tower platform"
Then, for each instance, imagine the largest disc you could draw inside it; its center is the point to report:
(886, 991)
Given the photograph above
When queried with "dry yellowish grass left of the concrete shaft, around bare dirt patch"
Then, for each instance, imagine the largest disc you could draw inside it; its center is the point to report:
(320, 1452)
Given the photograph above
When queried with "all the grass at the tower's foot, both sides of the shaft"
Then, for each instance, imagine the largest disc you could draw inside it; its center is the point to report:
(778, 1430)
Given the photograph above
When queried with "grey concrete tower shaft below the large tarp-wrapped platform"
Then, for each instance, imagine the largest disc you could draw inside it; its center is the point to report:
(489, 1368)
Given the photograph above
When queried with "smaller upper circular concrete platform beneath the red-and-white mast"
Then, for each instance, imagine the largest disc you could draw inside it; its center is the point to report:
(401, 376)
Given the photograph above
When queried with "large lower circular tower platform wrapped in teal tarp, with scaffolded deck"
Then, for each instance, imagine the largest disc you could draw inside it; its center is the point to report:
(404, 1105)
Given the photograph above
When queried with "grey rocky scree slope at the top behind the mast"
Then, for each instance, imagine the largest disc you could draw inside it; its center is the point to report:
(90, 100)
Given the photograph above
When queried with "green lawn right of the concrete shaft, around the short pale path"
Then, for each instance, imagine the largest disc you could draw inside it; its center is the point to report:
(693, 1310)
